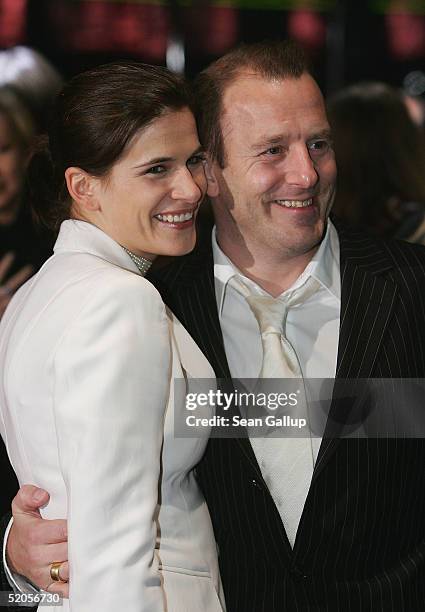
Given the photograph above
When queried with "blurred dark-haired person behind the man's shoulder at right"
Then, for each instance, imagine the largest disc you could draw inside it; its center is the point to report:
(380, 156)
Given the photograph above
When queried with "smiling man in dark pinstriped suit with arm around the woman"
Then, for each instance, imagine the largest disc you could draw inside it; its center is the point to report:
(359, 540)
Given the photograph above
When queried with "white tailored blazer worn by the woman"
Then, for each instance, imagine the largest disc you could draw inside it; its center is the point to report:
(88, 355)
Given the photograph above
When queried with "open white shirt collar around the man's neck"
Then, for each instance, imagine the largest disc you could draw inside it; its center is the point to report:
(324, 267)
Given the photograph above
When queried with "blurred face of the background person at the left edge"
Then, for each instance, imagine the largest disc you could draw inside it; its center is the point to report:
(11, 167)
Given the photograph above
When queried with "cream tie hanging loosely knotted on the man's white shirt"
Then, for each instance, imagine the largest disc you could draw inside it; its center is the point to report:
(286, 463)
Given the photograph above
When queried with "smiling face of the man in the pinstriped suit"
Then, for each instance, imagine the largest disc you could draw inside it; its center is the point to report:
(278, 183)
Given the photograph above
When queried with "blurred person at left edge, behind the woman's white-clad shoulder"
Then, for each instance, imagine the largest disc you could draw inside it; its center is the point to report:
(22, 248)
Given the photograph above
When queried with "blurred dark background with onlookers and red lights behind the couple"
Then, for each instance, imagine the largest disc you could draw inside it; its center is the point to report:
(368, 57)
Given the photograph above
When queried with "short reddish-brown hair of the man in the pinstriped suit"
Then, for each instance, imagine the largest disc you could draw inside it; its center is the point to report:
(270, 60)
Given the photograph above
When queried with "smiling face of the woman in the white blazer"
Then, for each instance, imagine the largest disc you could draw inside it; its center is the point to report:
(149, 201)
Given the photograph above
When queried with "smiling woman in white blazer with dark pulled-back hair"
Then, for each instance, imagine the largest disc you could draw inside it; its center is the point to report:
(89, 352)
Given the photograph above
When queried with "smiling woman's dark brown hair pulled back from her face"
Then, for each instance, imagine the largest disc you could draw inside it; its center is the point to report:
(93, 120)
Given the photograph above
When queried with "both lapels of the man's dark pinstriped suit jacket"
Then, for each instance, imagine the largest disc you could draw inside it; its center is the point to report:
(367, 300)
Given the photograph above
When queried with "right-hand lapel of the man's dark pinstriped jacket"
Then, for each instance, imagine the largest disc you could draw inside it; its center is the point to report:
(367, 300)
